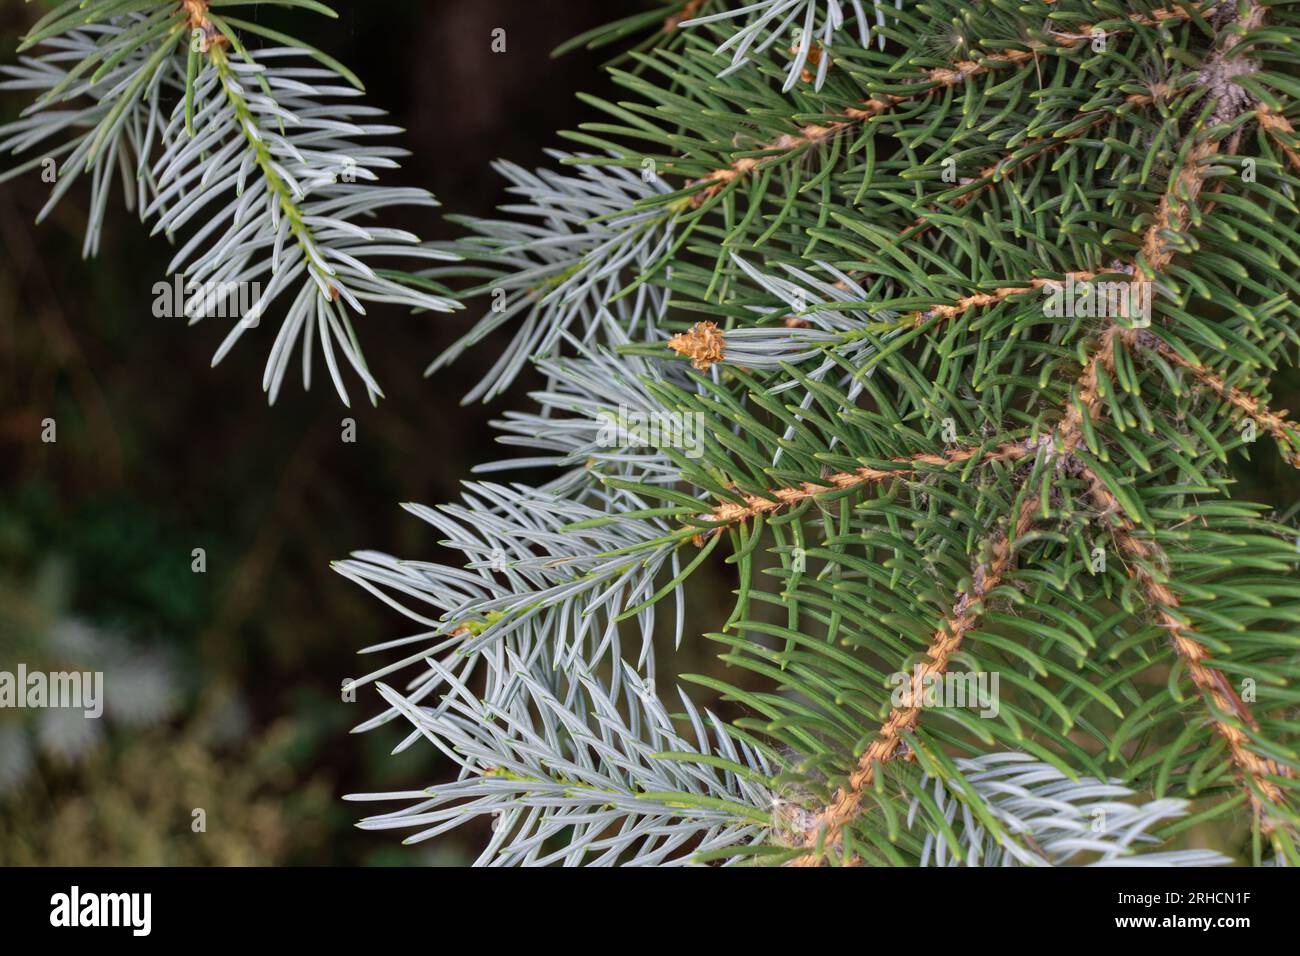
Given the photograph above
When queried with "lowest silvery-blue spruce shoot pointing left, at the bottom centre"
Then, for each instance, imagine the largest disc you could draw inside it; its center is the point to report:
(562, 759)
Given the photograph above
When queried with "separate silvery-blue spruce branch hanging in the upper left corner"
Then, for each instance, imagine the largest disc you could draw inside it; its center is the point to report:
(258, 153)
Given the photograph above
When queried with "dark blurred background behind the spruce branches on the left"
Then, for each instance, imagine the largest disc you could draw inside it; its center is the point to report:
(229, 680)
